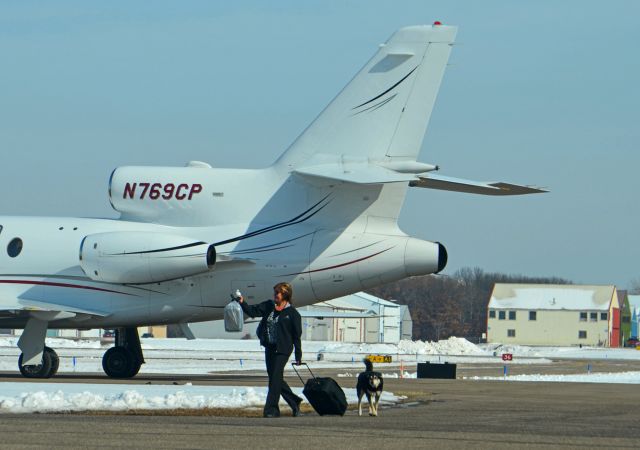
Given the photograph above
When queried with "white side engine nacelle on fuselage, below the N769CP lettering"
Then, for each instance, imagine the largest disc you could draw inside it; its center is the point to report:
(139, 257)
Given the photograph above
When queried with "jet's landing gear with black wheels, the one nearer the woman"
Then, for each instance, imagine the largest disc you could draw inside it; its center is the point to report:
(124, 360)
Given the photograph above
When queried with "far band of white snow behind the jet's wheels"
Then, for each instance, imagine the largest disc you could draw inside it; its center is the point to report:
(202, 356)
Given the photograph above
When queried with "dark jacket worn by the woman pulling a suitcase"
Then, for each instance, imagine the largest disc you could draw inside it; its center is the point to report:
(289, 326)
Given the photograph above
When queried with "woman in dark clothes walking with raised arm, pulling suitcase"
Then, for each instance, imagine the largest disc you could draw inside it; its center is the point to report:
(279, 332)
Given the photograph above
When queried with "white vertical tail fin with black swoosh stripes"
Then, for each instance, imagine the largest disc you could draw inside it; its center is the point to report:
(384, 111)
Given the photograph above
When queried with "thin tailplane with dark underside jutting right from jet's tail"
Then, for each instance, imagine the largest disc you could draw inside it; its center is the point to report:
(473, 187)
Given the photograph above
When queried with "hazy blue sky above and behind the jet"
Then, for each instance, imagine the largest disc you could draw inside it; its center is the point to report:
(537, 92)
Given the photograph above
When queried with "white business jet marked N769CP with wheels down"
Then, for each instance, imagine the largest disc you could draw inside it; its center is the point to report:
(322, 217)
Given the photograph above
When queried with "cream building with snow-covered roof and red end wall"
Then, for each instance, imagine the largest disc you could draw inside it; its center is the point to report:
(554, 314)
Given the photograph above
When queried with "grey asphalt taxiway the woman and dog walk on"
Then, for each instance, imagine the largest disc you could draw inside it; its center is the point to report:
(440, 414)
